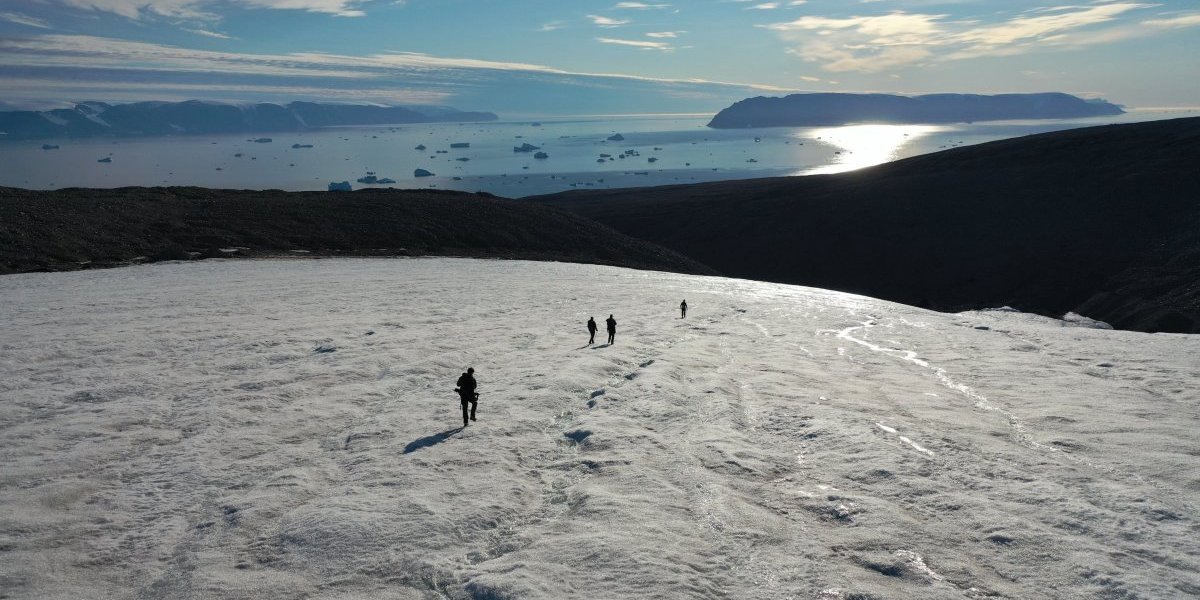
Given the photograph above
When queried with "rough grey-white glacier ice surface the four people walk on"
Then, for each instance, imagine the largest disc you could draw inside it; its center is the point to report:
(289, 429)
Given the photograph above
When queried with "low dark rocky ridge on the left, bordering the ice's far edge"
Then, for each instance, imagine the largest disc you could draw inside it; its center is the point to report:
(77, 229)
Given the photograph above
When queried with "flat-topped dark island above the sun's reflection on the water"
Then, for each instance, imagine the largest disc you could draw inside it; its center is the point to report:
(829, 110)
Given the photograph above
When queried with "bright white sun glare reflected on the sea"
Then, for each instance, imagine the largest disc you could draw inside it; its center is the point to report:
(866, 146)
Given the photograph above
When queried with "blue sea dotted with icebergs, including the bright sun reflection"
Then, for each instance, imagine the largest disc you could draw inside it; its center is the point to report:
(656, 151)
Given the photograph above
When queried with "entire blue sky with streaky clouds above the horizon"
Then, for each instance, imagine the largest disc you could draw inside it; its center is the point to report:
(584, 57)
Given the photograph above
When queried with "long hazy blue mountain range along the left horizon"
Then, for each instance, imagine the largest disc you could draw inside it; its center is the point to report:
(93, 119)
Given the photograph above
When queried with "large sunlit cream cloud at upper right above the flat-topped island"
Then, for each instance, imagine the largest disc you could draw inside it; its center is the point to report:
(874, 44)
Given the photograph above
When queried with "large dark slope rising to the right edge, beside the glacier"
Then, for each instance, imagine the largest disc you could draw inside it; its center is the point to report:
(1103, 221)
